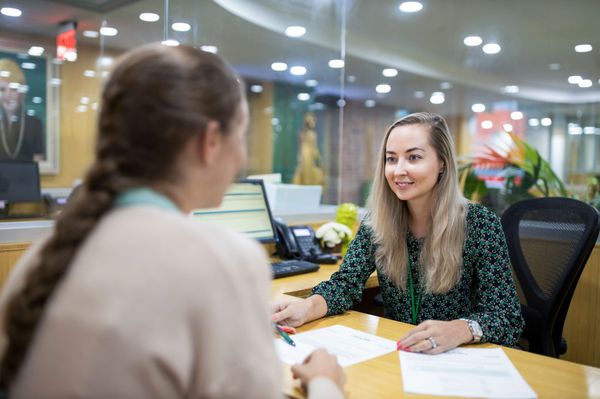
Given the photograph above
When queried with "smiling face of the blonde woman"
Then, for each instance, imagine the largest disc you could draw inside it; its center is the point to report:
(412, 165)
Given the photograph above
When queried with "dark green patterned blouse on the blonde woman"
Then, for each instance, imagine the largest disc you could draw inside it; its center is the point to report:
(485, 292)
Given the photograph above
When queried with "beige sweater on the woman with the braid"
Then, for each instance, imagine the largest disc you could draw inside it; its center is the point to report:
(156, 306)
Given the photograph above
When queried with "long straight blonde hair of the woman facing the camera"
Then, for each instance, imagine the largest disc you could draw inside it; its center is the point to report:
(441, 253)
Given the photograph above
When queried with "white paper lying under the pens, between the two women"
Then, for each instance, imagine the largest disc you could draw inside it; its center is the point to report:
(349, 345)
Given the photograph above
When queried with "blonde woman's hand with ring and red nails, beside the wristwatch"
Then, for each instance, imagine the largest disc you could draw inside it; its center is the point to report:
(433, 336)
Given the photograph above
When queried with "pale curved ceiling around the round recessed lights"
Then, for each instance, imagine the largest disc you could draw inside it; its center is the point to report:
(427, 46)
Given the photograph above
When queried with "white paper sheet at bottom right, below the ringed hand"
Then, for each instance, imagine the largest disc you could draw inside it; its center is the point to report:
(469, 372)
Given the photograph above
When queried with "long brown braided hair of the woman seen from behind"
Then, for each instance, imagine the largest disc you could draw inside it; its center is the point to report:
(156, 100)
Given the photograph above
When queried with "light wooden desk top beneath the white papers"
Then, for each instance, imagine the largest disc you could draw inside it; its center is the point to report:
(380, 377)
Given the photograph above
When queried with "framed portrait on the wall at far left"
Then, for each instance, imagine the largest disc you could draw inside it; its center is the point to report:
(28, 110)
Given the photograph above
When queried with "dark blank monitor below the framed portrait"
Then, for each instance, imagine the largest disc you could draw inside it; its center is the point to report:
(19, 181)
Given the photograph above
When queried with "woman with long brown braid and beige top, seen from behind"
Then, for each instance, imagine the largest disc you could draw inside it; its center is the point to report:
(129, 298)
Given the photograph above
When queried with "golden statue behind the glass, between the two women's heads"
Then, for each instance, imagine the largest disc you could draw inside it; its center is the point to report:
(308, 169)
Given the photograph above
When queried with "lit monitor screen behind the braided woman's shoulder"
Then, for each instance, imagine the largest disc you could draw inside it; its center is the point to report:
(245, 209)
